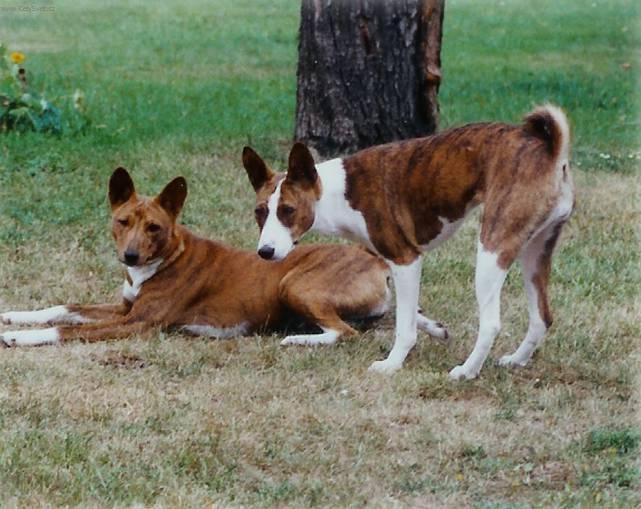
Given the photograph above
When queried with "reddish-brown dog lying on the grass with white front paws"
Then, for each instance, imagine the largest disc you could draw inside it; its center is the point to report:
(176, 279)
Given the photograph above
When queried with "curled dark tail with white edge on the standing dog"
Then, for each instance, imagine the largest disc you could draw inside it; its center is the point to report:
(549, 124)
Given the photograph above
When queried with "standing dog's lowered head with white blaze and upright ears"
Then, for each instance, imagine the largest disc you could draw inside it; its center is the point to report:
(285, 203)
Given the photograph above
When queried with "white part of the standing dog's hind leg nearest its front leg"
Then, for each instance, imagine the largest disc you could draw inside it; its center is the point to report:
(488, 281)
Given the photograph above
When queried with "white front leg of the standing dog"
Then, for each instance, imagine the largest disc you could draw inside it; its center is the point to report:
(407, 280)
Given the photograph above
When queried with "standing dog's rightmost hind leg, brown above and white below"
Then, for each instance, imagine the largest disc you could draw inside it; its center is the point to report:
(536, 261)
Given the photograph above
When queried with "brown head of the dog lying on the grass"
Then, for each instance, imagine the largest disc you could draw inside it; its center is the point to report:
(144, 229)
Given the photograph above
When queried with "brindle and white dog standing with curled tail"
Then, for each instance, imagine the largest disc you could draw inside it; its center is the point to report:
(408, 197)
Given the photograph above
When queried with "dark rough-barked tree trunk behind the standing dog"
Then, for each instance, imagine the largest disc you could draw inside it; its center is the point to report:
(368, 72)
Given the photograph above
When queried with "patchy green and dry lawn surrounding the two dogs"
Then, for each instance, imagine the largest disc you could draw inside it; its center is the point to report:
(169, 421)
